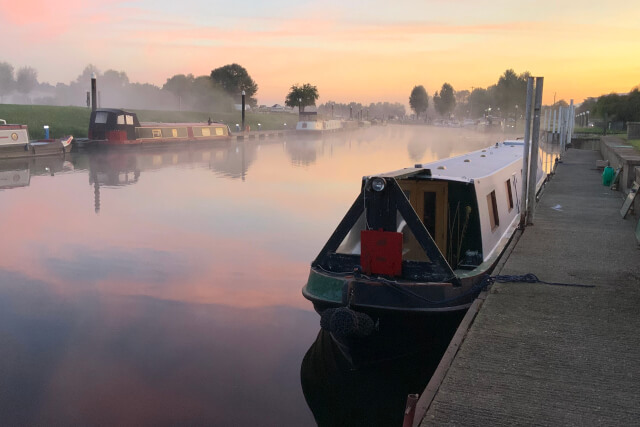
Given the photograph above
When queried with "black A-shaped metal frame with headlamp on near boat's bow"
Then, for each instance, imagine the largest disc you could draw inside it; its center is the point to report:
(381, 209)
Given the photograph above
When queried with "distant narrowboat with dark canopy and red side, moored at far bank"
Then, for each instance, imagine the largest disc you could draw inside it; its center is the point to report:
(120, 128)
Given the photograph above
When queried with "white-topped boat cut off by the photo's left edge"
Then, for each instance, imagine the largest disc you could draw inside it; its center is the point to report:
(15, 143)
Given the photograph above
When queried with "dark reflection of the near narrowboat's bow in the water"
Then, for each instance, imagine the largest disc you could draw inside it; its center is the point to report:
(370, 395)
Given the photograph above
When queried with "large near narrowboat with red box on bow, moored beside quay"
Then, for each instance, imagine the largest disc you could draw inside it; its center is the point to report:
(417, 244)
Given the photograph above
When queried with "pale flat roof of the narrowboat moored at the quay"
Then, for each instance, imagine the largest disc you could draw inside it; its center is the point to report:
(466, 167)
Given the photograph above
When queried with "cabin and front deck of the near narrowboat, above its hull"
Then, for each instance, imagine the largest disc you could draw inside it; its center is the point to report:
(431, 222)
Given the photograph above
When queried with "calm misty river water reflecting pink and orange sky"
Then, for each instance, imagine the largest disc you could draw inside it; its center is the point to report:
(164, 287)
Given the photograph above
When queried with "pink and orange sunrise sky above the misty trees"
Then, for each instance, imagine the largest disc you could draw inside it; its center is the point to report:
(362, 51)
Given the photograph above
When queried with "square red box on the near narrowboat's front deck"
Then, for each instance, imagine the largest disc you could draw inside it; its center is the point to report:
(381, 252)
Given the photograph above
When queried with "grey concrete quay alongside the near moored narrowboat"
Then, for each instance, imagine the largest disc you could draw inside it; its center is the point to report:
(536, 354)
